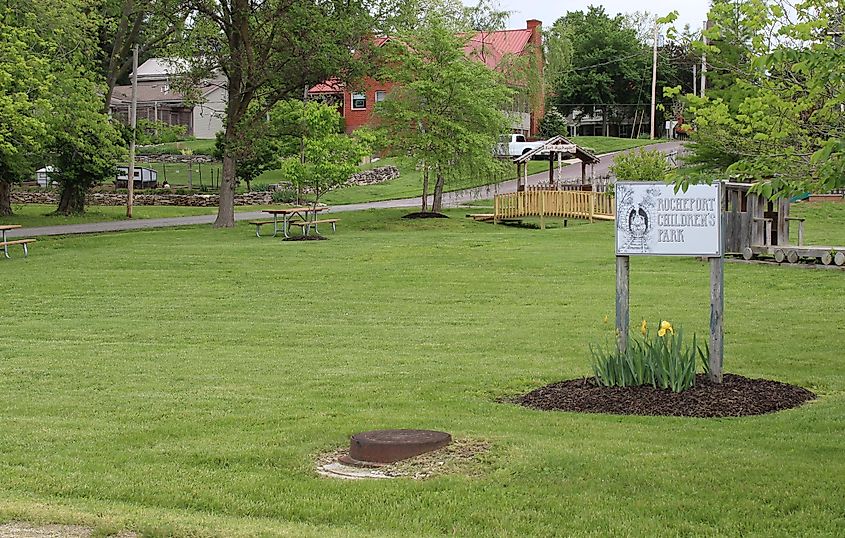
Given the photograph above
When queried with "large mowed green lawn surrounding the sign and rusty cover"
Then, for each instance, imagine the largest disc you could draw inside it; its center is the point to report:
(181, 382)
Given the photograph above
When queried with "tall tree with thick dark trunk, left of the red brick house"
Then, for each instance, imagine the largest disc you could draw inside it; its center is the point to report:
(270, 51)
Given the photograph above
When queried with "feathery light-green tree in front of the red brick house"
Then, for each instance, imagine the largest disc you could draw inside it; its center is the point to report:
(445, 112)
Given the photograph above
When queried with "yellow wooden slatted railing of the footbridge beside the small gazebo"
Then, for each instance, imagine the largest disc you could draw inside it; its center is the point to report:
(548, 203)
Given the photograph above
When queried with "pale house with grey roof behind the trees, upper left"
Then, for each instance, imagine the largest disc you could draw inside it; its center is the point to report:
(159, 101)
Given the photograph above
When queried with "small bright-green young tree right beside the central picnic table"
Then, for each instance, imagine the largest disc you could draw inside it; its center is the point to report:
(328, 158)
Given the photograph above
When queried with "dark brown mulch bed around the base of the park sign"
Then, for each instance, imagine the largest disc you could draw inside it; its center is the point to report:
(737, 396)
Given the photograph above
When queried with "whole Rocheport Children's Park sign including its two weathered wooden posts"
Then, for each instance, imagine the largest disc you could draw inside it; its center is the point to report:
(654, 220)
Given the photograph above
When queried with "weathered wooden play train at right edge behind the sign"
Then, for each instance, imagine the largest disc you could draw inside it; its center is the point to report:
(757, 227)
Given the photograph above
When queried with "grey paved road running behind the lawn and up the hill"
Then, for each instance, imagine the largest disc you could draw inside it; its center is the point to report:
(451, 199)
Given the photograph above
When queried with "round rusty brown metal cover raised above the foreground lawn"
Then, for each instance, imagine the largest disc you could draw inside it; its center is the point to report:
(387, 446)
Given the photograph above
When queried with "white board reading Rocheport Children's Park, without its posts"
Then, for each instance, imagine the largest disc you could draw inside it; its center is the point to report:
(653, 220)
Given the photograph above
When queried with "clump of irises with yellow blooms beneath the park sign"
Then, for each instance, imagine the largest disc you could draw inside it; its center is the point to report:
(659, 360)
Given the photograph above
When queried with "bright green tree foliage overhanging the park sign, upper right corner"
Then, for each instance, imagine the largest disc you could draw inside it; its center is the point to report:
(780, 122)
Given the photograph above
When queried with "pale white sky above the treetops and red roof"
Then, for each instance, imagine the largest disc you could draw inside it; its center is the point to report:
(692, 12)
